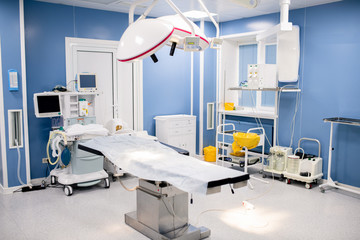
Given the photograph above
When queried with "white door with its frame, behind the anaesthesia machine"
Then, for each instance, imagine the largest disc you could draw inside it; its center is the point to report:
(114, 79)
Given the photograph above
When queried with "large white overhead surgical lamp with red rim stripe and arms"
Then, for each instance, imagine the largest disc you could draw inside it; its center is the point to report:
(145, 37)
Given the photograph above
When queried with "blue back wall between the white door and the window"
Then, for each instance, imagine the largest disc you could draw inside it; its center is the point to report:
(167, 86)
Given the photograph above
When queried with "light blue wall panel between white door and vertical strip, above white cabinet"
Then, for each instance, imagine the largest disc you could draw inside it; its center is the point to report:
(166, 86)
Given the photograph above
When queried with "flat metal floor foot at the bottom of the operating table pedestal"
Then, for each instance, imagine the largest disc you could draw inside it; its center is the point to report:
(188, 233)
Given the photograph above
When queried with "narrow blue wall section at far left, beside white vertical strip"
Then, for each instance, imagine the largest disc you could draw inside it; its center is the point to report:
(11, 59)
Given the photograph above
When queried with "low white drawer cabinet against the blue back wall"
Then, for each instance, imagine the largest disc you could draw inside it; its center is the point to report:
(178, 131)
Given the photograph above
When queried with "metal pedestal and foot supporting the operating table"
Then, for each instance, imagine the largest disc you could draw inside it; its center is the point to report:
(162, 213)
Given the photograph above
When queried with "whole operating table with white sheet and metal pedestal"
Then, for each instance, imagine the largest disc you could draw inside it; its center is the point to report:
(166, 177)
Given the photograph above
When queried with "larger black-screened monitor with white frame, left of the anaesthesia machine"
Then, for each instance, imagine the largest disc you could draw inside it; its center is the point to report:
(47, 105)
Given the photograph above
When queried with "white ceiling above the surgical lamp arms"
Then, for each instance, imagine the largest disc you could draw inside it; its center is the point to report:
(227, 10)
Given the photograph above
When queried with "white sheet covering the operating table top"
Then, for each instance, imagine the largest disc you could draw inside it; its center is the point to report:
(151, 160)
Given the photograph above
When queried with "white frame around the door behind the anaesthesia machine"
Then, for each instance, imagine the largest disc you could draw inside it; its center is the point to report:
(84, 44)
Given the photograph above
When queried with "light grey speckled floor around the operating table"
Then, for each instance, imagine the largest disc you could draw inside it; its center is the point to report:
(281, 212)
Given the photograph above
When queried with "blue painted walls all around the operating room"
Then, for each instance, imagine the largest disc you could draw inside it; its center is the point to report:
(329, 46)
